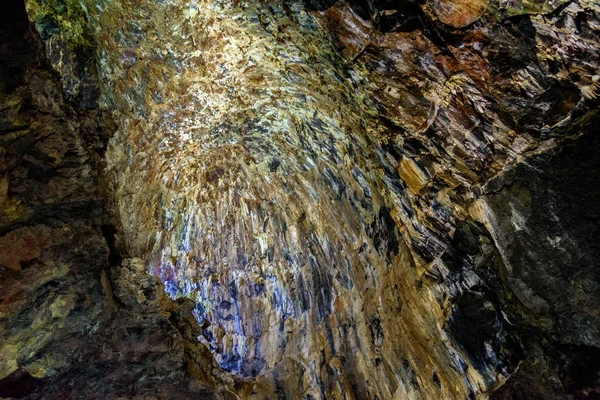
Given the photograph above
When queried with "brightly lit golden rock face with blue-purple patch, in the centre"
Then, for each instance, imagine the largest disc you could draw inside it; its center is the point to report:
(260, 195)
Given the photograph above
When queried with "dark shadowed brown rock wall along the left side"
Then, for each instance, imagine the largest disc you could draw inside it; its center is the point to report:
(73, 325)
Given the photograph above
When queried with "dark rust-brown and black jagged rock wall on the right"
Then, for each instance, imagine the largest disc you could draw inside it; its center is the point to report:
(495, 125)
